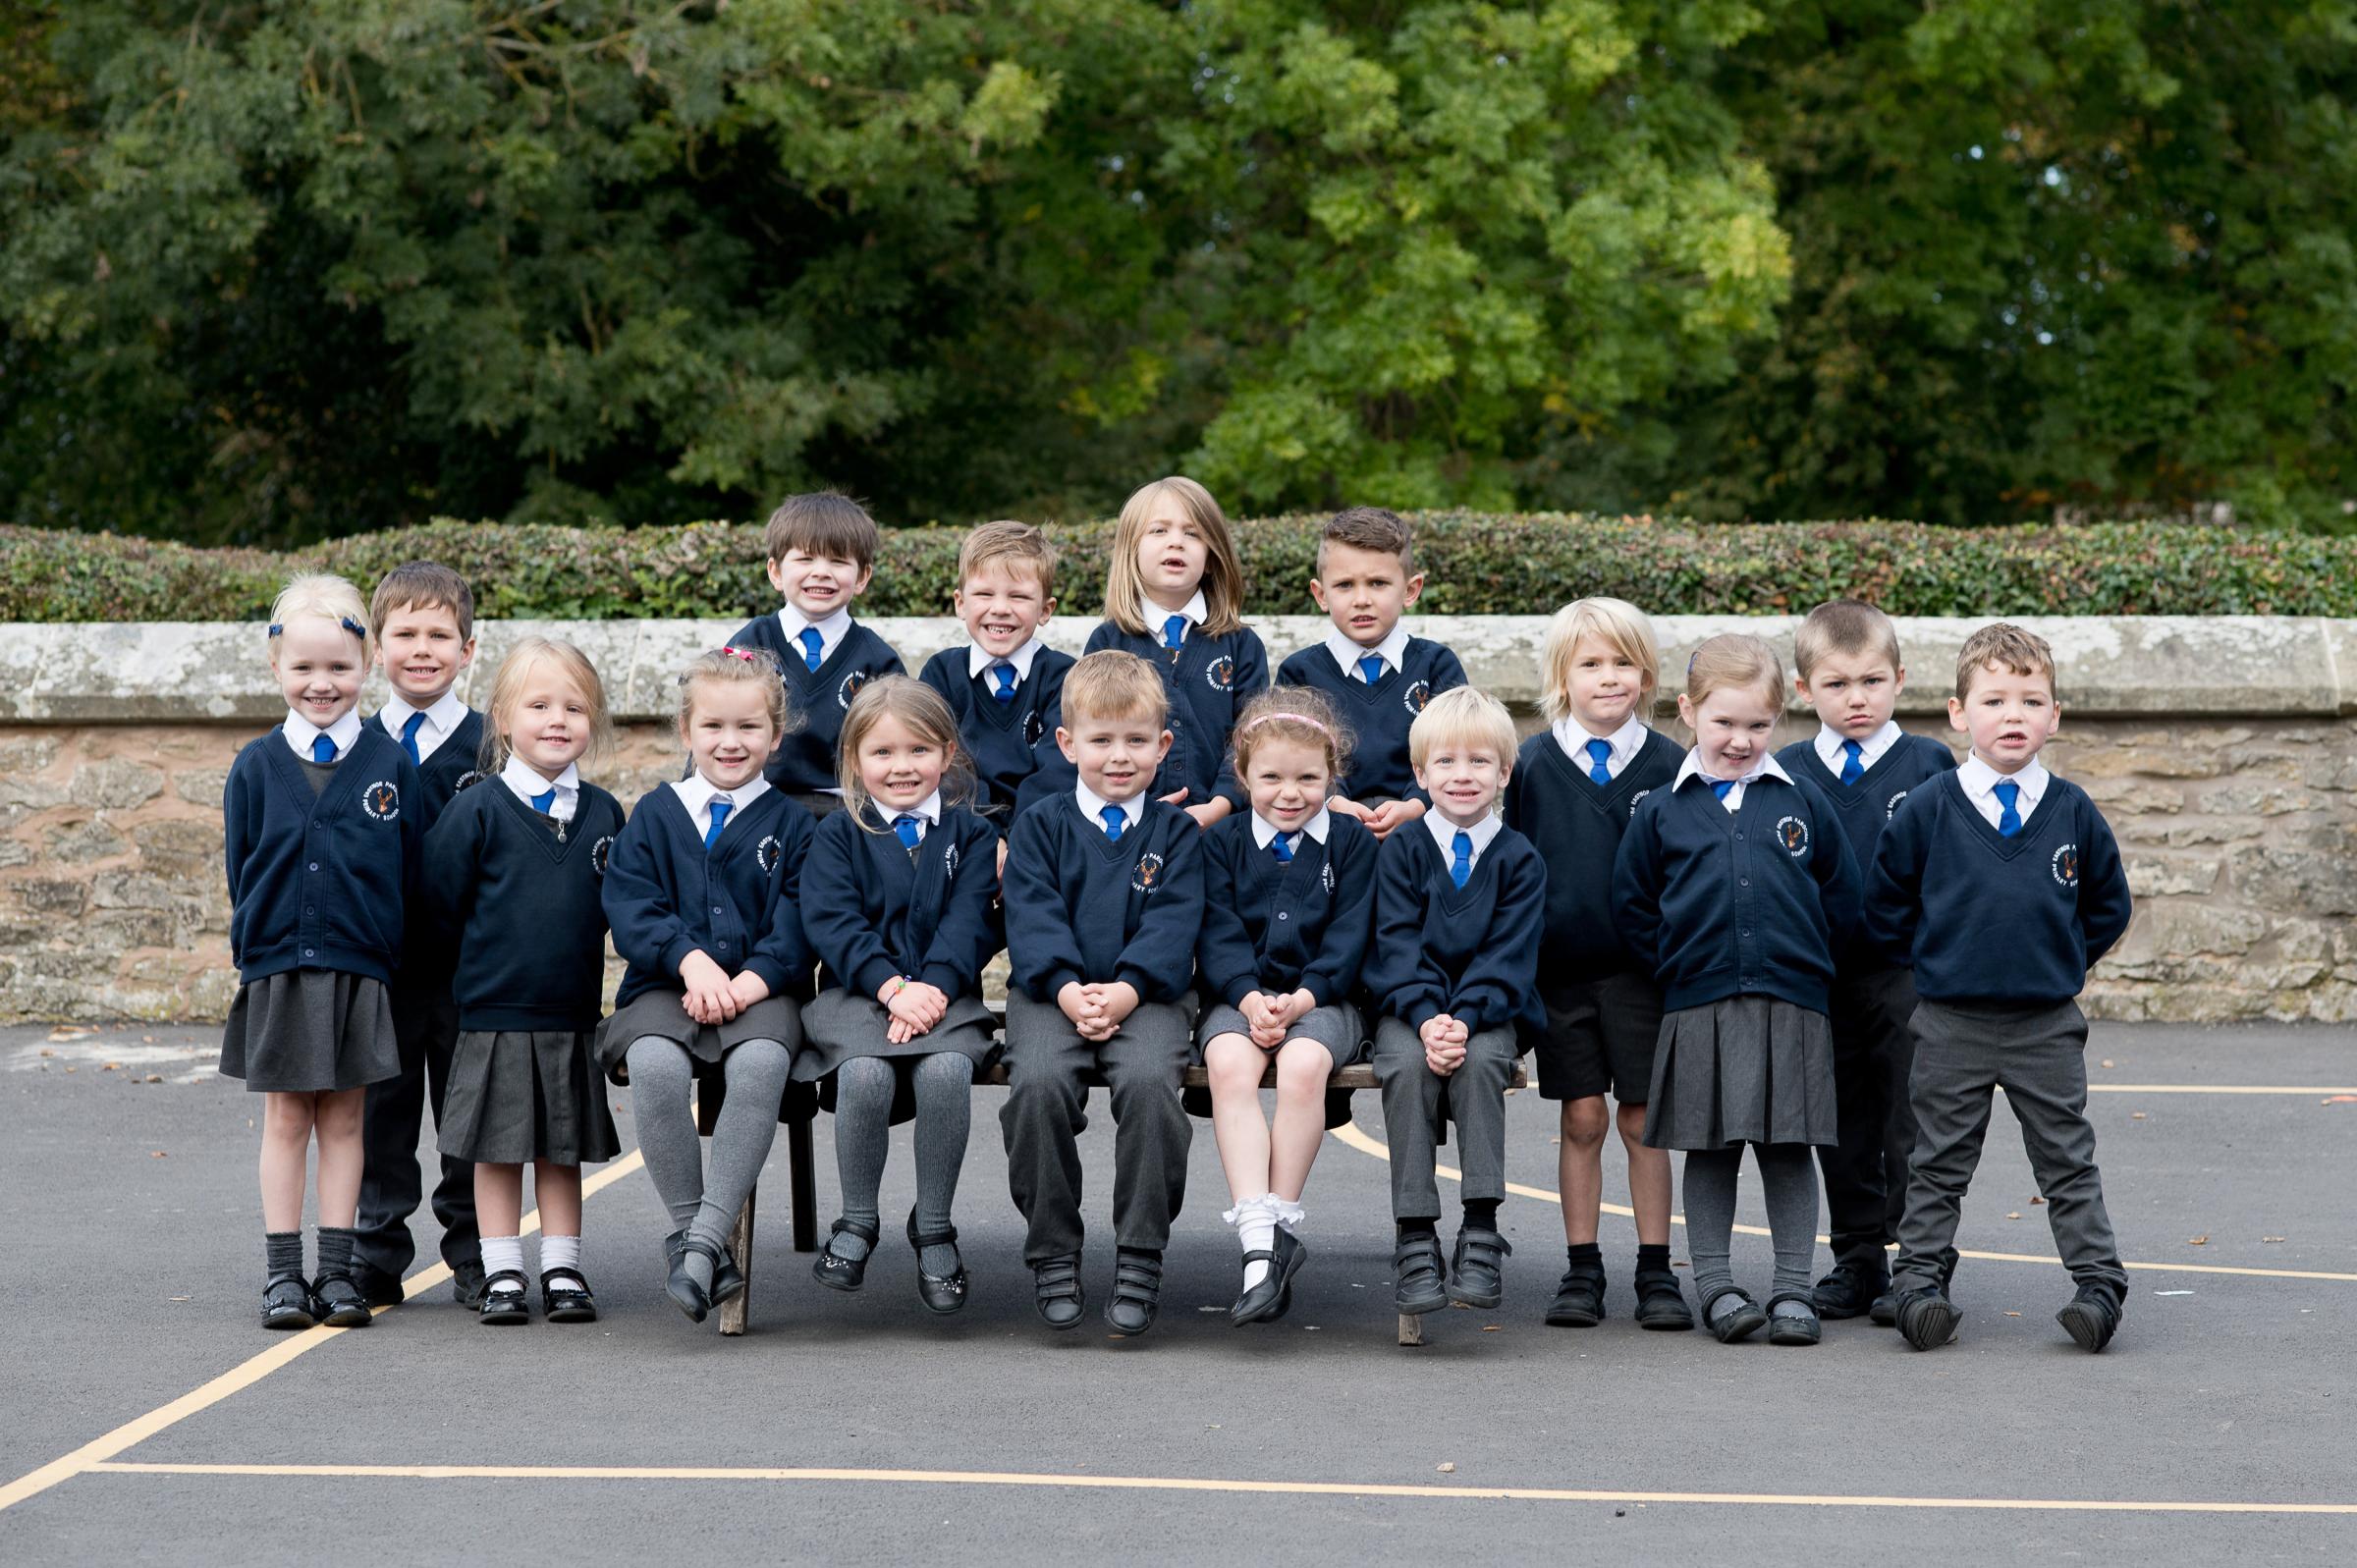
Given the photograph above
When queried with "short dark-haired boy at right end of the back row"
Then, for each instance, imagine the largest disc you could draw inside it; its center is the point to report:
(1371, 666)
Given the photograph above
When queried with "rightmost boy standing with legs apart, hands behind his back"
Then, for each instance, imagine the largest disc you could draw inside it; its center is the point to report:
(2002, 885)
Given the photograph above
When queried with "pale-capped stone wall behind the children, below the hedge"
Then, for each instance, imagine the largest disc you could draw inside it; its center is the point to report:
(2224, 751)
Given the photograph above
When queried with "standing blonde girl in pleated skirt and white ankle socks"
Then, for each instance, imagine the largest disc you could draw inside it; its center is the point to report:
(515, 869)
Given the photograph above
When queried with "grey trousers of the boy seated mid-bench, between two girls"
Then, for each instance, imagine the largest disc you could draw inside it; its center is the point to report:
(1048, 1107)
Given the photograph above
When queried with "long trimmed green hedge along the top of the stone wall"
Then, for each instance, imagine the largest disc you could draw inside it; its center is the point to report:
(1474, 565)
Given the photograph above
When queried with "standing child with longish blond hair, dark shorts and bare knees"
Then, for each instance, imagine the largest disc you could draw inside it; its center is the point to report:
(1573, 791)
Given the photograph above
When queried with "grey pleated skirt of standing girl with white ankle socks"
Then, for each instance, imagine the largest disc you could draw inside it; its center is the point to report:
(527, 1098)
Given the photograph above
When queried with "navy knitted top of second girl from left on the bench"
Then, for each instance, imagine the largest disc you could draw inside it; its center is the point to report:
(871, 911)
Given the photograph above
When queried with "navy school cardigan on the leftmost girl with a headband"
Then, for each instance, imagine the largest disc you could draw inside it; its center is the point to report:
(319, 881)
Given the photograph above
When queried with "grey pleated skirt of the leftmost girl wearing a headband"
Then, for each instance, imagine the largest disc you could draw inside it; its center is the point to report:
(303, 1032)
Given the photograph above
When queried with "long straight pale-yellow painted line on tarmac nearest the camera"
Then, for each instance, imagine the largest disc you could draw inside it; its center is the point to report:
(1213, 1484)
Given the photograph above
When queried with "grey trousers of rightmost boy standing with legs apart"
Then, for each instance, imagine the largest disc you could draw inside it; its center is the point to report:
(2038, 1058)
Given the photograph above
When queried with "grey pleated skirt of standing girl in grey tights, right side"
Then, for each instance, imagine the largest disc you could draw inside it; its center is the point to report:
(1743, 1072)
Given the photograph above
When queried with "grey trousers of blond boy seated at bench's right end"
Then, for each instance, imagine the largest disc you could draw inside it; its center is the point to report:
(1413, 1109)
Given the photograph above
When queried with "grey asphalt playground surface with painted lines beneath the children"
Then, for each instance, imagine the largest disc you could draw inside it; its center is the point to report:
(147, 1418)
